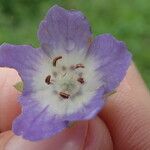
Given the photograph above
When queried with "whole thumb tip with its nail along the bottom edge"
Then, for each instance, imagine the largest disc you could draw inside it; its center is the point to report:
(92, 135)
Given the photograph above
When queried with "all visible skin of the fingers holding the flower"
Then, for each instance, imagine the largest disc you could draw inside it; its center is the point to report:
(123, 124)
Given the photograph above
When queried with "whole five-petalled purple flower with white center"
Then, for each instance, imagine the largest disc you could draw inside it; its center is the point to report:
(65, 80)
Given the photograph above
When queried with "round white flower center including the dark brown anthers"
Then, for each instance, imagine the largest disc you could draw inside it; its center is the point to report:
(66, 82)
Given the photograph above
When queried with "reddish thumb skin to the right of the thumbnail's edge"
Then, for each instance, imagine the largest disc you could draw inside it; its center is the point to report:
(98, 136)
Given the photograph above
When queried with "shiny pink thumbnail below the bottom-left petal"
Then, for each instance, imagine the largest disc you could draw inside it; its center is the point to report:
(69, 139)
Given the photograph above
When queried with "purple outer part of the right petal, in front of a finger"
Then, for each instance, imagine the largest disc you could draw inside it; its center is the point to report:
(114, 60)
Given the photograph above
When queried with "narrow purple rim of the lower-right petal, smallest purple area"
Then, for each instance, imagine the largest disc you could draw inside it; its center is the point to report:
(89, 110)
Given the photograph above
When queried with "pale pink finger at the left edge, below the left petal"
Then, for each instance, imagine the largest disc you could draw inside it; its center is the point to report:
(9, 107)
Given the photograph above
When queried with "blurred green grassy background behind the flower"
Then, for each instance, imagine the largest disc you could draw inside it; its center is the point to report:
(127, 20)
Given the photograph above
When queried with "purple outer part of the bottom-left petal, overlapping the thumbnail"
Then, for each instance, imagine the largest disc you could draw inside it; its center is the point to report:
(36, 123)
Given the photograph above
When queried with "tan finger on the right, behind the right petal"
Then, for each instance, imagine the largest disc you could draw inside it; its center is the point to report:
(127, 114)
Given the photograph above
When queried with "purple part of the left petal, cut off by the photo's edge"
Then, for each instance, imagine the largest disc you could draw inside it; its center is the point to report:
(23, 58)
